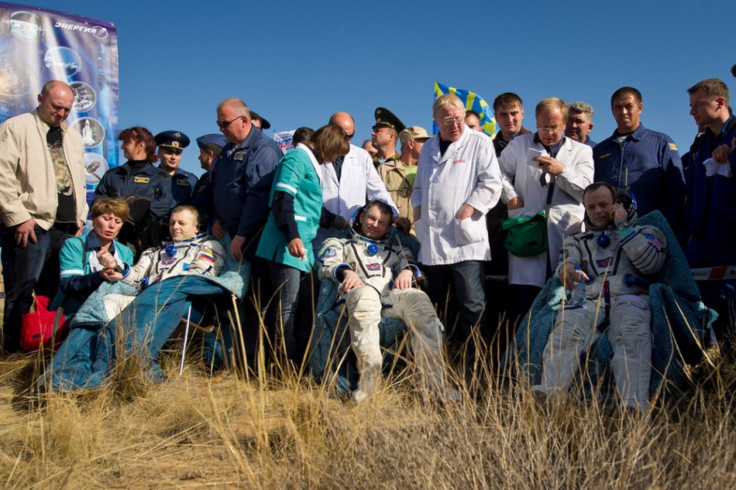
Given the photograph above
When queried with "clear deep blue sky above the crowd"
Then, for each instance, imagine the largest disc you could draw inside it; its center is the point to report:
(298, 62)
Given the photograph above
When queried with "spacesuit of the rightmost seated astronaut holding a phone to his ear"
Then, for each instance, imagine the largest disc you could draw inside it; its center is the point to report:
(616, 260)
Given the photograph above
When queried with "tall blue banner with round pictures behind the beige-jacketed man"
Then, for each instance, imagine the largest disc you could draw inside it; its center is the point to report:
(38, 45)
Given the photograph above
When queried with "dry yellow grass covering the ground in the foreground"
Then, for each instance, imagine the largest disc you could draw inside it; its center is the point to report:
(283, 431)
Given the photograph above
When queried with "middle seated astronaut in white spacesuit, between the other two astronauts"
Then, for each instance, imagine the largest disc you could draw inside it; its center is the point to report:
(376, 278)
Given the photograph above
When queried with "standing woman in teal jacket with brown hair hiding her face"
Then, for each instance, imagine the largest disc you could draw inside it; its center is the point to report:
(296, 207)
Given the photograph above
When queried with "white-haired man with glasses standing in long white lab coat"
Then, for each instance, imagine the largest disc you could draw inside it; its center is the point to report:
(458, 181)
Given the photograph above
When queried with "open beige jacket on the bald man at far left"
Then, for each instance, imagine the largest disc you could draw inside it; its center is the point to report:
(27, 179)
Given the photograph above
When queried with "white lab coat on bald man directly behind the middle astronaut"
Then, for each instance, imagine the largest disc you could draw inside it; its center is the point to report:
(359, 183)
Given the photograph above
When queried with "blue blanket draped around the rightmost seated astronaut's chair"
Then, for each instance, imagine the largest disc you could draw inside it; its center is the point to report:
(680, 327)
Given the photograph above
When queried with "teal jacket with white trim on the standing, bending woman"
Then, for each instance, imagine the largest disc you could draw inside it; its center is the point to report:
(298, 175)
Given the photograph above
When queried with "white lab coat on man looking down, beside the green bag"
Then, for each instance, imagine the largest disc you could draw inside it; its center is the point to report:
(565, 209)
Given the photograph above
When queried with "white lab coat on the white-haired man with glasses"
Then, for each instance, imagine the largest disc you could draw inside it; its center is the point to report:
(467, 173)
